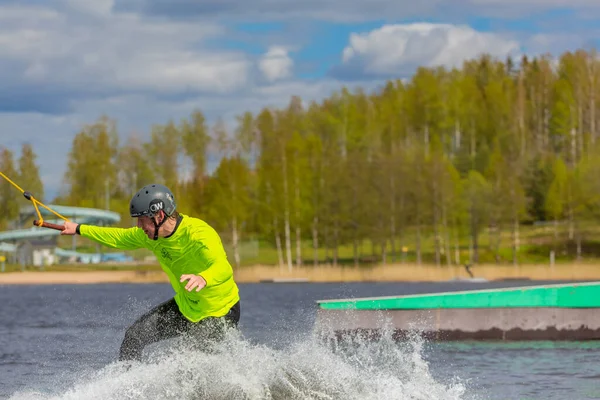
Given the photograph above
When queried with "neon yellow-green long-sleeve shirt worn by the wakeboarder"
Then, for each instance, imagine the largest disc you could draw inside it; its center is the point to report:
(194, 248)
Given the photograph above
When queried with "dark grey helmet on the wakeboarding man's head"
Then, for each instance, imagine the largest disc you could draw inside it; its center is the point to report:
(150, 199)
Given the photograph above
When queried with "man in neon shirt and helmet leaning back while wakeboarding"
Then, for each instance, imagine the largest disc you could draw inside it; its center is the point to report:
(206, 301)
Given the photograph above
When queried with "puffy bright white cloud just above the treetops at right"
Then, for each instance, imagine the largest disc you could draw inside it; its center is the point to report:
(398, 49)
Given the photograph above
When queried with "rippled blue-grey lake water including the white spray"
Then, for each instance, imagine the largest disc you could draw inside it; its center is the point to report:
(61, 342)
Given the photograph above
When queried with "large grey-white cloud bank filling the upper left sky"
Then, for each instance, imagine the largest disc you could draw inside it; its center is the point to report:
(115, 52)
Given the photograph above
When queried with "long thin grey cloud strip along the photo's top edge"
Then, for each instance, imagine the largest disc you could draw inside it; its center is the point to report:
(353, 10)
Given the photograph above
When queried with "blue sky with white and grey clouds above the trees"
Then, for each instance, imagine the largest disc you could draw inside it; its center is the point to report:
(66, 63)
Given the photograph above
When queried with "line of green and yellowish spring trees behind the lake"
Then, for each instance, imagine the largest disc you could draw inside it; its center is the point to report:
(445, 155)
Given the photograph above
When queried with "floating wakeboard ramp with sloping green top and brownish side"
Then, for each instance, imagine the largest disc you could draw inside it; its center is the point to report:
(545, 312)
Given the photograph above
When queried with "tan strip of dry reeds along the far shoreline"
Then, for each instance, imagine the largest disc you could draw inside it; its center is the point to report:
(329, 274)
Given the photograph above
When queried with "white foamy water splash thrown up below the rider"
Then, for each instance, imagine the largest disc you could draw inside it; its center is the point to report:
(312, 368)
